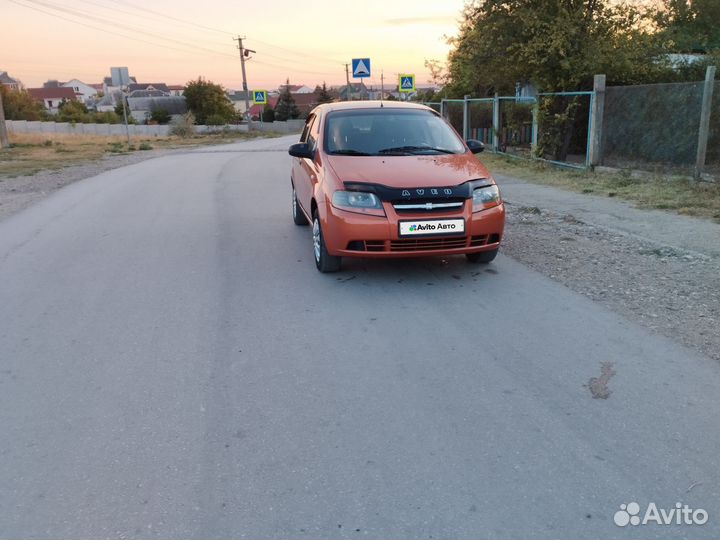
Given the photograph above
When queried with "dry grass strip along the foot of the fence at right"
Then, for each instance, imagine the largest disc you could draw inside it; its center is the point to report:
(673, 193)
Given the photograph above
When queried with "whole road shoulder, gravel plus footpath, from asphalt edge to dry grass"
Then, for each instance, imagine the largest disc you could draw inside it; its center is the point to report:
(656, 268)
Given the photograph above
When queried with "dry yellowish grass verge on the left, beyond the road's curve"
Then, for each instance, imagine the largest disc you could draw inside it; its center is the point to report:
(30, 153)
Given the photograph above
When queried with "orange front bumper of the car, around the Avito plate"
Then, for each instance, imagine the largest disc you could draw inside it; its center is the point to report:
(348, 234)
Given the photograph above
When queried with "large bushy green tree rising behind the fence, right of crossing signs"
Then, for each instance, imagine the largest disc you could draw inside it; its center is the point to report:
(554, 44)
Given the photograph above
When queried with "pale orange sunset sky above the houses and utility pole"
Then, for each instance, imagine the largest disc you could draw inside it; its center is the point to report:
(176, 41)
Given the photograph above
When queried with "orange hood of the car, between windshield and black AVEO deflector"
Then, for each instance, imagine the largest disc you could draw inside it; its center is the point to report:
(409, 171)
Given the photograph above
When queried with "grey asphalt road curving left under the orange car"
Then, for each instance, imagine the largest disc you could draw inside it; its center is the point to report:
(173, 366)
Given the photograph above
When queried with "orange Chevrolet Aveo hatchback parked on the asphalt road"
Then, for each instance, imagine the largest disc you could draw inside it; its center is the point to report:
(392, 180)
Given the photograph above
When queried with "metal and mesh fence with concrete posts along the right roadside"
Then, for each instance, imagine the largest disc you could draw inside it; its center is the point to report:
(648, 127)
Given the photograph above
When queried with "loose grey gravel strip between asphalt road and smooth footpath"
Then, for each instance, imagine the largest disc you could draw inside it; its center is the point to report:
(673, 292)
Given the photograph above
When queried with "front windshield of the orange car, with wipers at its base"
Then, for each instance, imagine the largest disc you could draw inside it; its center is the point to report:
(373, 132)
